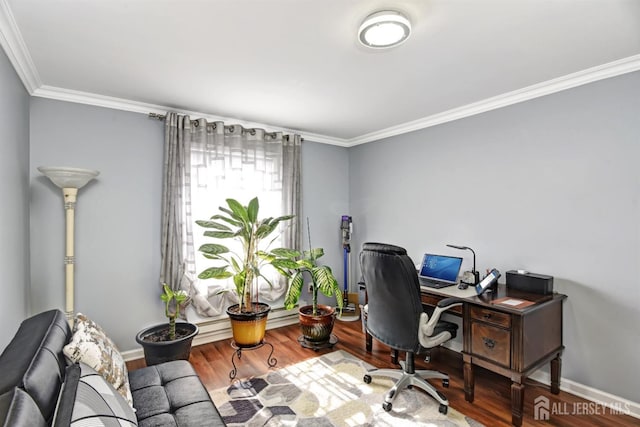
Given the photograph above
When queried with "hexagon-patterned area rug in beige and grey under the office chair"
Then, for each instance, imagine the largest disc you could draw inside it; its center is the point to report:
(327, 391)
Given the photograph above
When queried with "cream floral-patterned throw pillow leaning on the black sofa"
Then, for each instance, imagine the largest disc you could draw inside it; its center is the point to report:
(91, 346)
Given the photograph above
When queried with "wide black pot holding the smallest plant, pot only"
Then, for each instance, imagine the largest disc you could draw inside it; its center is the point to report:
(165, 351)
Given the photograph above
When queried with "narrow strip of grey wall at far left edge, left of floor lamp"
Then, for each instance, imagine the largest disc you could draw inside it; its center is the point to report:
(14, 193)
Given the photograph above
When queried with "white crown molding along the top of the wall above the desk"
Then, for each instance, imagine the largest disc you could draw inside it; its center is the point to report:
(590, 75)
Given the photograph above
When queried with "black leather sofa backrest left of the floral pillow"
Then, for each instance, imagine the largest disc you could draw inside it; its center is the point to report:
(34, 361)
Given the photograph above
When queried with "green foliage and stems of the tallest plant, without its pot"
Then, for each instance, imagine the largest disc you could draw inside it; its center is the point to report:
(241, 223)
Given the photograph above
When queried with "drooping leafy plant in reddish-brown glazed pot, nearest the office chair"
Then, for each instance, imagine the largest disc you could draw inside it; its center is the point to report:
(316, 320)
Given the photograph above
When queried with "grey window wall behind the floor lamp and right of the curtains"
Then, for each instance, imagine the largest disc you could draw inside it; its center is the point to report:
(118, 215)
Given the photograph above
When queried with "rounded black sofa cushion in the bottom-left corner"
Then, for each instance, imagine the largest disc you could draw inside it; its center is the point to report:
(18, 409)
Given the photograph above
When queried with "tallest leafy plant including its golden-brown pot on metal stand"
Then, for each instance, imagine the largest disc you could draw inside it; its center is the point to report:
(246, 267)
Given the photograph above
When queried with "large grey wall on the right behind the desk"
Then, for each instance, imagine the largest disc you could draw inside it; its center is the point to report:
(552, 186)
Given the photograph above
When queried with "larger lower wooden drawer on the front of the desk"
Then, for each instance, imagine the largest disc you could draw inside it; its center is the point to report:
(491, 343)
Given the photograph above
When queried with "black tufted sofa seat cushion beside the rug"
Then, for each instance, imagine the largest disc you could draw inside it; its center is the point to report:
(171, 394)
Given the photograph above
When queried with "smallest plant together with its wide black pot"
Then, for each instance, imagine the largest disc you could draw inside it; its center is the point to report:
(172, 341)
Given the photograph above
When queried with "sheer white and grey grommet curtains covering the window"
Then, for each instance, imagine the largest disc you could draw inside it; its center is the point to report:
(206, 163)
